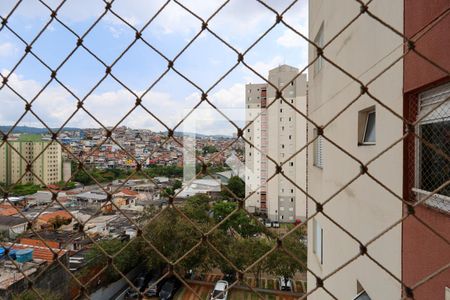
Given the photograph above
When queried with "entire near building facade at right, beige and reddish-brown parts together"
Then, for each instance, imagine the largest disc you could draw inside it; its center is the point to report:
(370, 203)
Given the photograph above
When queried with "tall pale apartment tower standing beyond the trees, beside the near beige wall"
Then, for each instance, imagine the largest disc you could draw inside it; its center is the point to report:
(276, 133)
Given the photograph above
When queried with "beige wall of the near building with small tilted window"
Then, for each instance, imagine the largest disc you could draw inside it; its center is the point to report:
(364, 129)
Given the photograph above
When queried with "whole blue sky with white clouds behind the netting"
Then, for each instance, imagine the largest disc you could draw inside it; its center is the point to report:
(240, 23)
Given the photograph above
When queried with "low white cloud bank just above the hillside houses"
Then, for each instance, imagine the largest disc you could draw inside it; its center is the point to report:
(55, 105)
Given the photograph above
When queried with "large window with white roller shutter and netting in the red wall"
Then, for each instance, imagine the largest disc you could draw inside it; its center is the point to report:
(432, 167)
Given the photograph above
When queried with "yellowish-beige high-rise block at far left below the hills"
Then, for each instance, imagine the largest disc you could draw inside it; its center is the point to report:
(48, 166)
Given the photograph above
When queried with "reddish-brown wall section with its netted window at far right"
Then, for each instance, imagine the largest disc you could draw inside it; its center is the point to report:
(426, 234)
